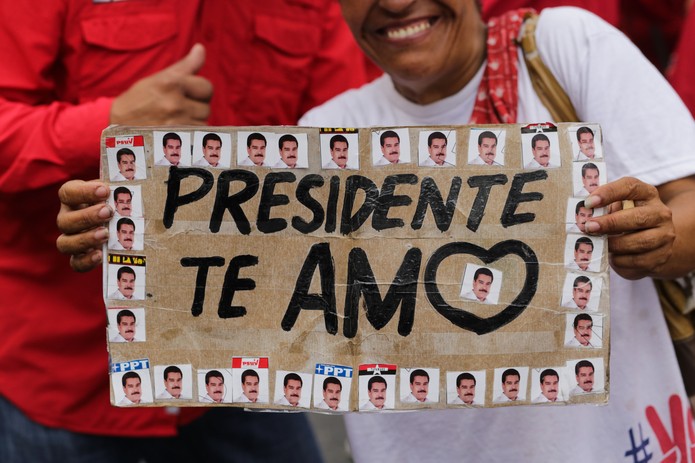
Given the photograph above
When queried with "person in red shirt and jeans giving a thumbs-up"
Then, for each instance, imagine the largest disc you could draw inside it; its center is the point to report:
(87, 64)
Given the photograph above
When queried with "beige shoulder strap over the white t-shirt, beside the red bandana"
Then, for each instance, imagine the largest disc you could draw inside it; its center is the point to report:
(544, 83)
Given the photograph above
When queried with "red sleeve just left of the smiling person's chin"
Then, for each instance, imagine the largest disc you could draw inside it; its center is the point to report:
(339, 56)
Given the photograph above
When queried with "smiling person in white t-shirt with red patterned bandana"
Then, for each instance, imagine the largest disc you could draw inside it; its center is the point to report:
(442, 67)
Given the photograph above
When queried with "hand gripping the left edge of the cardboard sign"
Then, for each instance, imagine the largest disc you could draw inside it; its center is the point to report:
(83, 211)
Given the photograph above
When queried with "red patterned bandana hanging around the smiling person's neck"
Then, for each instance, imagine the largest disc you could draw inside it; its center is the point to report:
(498, 94)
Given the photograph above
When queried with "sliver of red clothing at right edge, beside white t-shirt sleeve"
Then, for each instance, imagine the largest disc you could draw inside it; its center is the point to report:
(683, 70)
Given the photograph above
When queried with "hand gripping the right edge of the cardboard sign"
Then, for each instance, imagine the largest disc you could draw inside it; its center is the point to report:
(640, 239)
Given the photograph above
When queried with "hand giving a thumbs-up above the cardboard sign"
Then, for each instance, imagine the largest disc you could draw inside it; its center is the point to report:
(174, 95)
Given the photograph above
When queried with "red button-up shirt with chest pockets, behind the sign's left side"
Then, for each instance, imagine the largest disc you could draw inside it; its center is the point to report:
(62, 63)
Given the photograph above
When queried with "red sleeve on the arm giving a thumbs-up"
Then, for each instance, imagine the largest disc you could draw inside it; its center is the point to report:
(42, 143)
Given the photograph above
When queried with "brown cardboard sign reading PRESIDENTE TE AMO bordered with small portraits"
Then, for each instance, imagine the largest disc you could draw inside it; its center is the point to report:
(438, 267)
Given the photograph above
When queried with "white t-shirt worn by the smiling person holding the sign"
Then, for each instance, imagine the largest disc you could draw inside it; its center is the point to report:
(650, 135)
